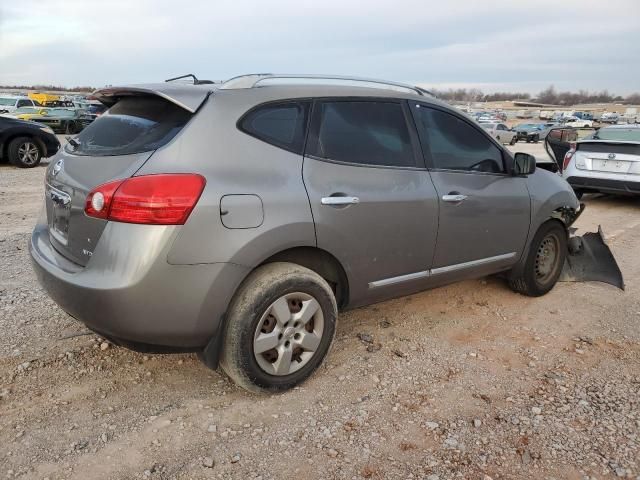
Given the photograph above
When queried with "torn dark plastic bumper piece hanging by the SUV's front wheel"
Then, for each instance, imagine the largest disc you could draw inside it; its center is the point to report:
(591, 260)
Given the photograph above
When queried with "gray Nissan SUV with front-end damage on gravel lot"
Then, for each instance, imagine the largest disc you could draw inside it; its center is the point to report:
(236, 219)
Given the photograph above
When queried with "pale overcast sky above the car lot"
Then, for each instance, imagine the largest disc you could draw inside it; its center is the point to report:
(491, 44)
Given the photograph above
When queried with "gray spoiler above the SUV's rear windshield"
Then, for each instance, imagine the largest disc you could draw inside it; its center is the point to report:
(189, 97)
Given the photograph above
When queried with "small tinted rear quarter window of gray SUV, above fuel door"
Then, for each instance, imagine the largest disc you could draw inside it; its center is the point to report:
(280, 124)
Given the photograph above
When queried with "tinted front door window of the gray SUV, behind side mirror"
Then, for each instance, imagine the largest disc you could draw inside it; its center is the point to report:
(454, 144)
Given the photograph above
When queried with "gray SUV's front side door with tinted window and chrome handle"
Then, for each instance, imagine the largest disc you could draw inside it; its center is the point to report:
(484, 211)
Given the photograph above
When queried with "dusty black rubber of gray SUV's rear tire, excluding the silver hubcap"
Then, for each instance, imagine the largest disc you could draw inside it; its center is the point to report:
(252, 301)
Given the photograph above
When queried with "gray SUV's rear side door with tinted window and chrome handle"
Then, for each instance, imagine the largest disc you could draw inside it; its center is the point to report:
(373, 203)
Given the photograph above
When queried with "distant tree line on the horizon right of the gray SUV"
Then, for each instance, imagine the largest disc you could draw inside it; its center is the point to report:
(549, 95)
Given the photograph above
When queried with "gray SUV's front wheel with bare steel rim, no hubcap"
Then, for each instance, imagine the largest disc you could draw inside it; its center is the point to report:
(538, 278)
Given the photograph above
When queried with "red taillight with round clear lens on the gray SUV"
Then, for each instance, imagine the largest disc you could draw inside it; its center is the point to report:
(164, 199)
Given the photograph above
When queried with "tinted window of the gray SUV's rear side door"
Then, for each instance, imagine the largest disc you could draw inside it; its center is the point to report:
(371, 133)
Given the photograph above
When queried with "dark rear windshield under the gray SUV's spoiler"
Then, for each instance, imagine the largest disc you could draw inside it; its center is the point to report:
(133, 125)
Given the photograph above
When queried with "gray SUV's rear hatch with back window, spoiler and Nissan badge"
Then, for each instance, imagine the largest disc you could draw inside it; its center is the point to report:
(115, 146)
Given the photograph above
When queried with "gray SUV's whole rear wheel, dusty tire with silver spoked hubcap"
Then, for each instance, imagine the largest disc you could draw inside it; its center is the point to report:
(279, 329)
